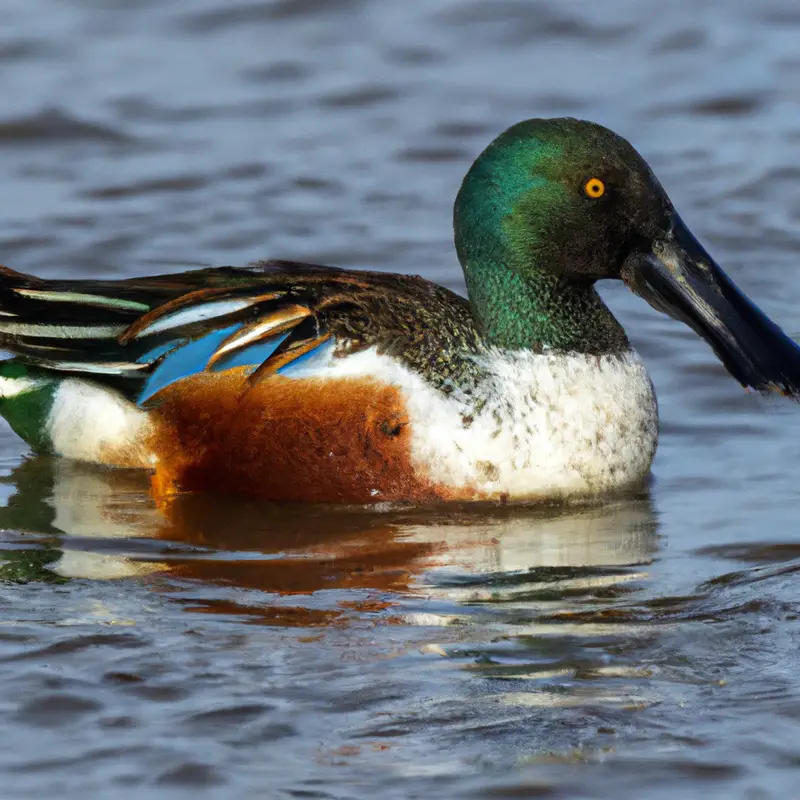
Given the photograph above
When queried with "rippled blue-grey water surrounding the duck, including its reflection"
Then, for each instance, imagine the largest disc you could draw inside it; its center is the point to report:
(641, 648)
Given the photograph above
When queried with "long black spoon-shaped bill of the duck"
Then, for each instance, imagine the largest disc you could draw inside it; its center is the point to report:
(679, 278)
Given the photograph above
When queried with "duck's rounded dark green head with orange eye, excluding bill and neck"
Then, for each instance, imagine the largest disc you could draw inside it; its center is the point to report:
(557, 196)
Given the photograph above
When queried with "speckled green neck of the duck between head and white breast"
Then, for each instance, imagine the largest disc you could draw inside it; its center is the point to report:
(539, 311)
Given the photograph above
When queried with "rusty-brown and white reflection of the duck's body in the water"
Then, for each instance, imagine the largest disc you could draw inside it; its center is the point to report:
(305, 565)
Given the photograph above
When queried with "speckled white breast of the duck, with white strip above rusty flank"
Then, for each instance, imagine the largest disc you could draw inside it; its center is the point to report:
(549, 426)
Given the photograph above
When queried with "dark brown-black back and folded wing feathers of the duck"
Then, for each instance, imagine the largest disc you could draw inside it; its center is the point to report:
(117, 332)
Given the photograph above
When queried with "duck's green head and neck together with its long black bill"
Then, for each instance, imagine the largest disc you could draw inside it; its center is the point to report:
(553, 205)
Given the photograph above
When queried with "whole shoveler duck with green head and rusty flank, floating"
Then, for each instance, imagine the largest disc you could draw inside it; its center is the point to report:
(300, 382)
